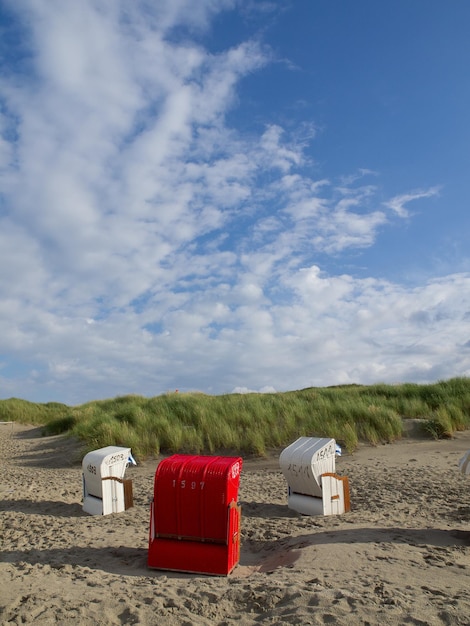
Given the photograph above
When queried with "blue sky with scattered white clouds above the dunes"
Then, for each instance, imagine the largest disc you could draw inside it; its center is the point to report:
(232, 195)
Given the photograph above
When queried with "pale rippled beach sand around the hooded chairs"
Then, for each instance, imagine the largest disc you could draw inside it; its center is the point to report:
(401, 556)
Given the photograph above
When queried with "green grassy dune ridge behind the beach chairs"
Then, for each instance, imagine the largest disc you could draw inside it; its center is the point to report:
(253, 423)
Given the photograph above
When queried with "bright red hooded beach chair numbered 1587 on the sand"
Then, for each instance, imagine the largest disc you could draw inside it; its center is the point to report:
(194, 516)
